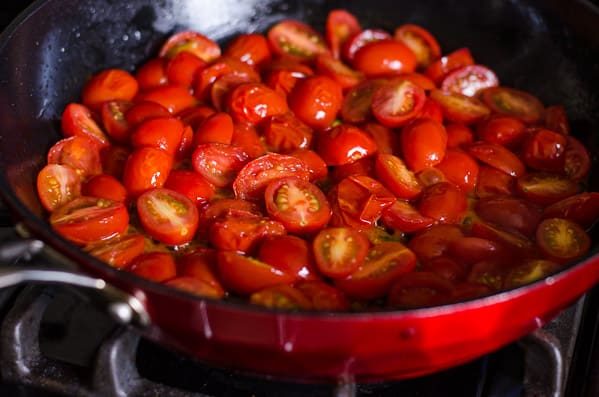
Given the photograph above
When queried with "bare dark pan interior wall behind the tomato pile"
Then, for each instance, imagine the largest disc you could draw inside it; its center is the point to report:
(550, 48)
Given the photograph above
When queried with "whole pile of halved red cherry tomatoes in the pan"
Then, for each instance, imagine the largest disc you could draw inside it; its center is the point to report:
(356, 169)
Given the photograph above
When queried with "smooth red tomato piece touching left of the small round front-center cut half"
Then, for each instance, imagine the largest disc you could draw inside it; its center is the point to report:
(290, 254)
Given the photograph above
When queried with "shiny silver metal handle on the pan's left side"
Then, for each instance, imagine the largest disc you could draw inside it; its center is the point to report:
(123, 307)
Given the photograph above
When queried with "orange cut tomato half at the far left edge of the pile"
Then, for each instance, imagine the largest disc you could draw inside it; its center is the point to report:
(57, 185)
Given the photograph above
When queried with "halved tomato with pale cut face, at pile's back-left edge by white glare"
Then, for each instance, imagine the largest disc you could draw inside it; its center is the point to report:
(190, 41)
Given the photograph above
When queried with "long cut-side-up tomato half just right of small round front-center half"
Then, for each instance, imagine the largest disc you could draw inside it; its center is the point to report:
(385, 263)
